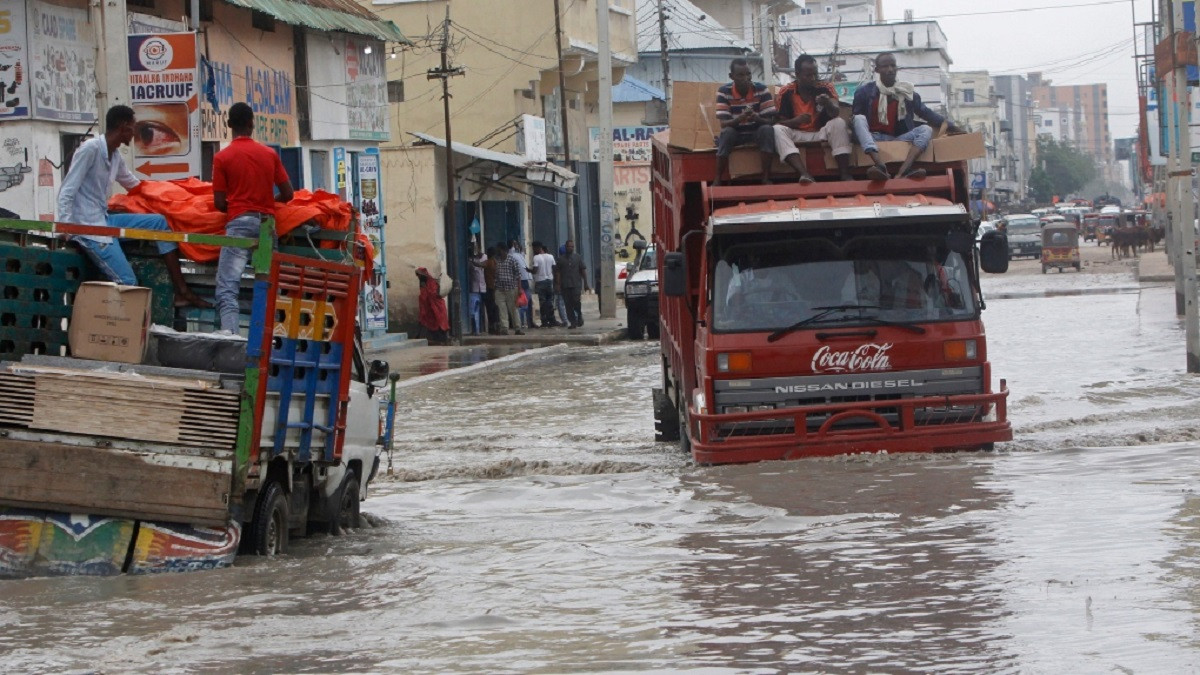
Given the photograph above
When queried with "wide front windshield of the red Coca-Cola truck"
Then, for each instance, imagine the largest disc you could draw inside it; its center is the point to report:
(775, 284)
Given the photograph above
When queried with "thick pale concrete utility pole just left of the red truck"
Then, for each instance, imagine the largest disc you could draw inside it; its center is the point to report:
(608, 277)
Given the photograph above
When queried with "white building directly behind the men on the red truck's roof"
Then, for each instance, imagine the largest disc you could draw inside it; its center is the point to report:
(921, 50)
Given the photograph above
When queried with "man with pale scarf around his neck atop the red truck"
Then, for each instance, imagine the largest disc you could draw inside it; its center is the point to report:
(885, 110)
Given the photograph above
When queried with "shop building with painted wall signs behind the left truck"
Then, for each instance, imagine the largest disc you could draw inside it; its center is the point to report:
(314, 74)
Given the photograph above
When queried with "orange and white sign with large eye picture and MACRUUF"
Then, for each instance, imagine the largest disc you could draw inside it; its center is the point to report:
(165, 94)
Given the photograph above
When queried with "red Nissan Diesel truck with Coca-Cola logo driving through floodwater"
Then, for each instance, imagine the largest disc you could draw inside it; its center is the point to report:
(836, 318)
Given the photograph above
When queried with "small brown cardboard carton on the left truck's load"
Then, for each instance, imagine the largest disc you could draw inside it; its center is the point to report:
(110, 322)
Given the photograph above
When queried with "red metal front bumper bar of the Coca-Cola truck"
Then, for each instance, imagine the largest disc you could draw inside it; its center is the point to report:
(927, 425)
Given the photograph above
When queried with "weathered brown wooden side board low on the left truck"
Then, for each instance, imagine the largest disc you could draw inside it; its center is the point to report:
(116, 483)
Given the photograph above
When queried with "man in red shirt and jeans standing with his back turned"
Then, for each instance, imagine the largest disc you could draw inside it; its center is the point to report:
(245, 177)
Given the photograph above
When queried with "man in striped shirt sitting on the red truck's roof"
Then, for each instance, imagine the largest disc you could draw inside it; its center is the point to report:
(747, 112)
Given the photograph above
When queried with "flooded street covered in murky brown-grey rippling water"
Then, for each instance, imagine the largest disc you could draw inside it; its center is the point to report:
(533, 525)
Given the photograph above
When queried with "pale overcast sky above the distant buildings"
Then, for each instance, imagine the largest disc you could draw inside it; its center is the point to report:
(1069, 45)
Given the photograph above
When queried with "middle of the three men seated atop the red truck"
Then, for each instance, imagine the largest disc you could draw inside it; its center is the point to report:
(808, 114)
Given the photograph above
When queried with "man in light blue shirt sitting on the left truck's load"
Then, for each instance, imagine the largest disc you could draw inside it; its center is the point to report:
(83, 200)
